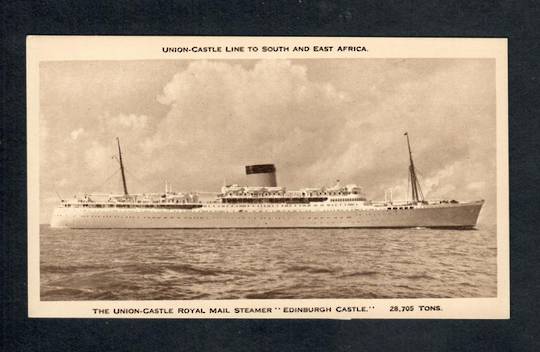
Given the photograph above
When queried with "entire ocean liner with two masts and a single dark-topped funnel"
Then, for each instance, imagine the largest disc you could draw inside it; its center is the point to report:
(261, 203)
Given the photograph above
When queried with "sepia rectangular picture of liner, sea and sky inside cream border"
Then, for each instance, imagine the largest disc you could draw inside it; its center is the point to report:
(268, 178)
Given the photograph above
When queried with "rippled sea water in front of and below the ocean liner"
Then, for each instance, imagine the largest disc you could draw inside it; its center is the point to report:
(182, 264)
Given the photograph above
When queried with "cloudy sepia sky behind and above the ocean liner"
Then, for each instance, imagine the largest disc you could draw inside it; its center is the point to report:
(197, 123)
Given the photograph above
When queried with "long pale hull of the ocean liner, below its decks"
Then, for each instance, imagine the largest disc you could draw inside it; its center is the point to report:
(460, 215)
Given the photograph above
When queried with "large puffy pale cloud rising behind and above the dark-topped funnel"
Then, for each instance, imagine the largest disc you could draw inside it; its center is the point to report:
(223, 116)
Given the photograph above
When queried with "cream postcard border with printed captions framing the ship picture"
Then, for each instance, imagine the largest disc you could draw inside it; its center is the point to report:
(53, 48)
